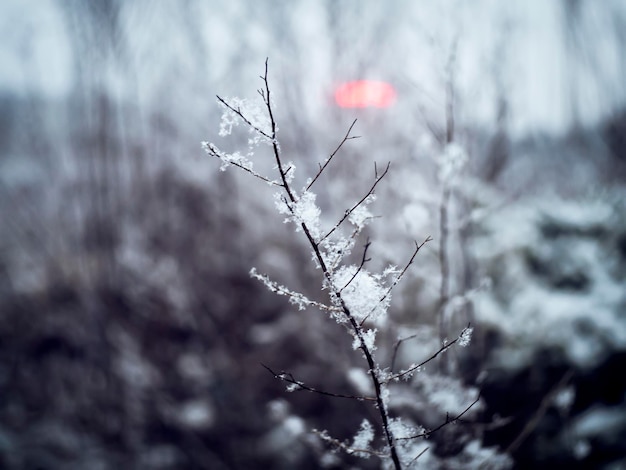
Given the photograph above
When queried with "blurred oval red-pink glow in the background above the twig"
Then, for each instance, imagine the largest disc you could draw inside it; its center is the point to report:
(365, 93)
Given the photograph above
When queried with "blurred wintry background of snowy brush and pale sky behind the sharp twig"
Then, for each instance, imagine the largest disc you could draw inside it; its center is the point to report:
(131, 334)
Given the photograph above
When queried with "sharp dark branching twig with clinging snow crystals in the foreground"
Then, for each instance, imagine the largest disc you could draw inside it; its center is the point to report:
(358, 299)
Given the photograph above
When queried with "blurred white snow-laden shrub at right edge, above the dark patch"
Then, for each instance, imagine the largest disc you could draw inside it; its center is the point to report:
(558, 279)
